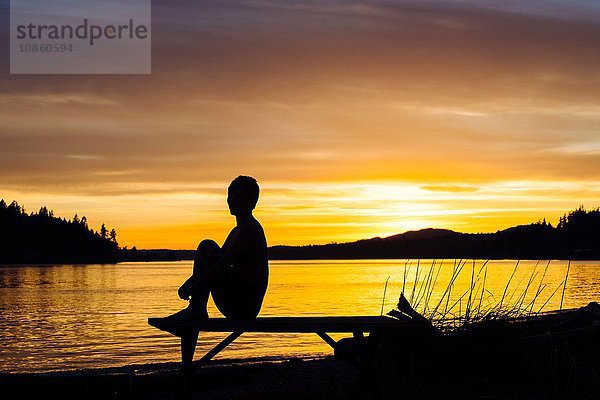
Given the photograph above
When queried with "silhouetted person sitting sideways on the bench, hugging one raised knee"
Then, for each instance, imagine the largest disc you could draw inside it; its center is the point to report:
(237, 274)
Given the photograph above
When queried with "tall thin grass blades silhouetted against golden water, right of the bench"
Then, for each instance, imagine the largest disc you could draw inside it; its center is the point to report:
(477, 303)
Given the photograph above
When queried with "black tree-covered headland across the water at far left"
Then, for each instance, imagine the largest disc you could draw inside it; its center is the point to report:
(42, 238)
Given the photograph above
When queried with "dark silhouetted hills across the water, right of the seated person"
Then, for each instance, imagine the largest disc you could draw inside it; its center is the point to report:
(577, 236)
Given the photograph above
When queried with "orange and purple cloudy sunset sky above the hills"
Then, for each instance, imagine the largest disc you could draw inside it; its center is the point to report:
(358, 119)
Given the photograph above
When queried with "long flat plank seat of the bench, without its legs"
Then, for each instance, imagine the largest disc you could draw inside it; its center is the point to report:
(342, 324)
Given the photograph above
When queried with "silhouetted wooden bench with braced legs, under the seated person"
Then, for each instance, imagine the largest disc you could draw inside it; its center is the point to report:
(358, 326)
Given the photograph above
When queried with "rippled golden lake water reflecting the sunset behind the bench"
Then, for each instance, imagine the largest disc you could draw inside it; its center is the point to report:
(64, 317)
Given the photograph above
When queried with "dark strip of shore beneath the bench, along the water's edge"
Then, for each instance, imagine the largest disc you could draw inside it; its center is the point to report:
(297, 378)
